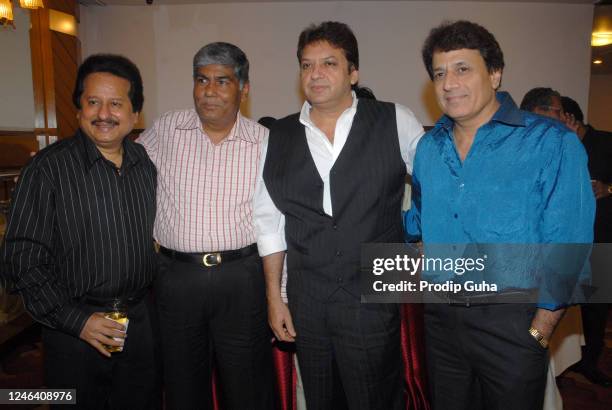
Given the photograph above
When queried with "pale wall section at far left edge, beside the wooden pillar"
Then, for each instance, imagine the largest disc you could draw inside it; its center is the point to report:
(17, 95)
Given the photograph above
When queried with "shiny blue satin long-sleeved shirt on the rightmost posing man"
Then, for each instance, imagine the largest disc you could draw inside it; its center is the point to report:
(524, 181)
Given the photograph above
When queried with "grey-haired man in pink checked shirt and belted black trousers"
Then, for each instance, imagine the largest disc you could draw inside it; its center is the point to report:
(210, 288)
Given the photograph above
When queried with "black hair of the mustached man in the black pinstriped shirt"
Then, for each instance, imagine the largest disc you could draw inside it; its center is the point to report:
(113, 64)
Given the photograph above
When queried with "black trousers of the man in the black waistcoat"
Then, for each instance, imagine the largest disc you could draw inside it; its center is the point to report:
(361, 339)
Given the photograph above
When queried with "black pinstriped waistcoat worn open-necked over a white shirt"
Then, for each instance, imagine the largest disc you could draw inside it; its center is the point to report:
(366, 184)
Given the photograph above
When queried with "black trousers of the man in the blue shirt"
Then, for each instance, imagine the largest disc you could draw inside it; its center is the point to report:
(484, 357)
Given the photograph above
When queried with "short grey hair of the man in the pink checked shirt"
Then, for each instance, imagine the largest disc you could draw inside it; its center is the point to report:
(223, 54)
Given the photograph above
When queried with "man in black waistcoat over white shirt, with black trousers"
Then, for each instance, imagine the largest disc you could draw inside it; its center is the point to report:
(334, 179)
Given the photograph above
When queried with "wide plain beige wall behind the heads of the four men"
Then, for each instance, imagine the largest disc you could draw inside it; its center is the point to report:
(544, 44)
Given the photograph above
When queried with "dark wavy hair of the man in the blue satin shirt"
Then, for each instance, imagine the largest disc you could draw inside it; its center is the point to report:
(451, 36)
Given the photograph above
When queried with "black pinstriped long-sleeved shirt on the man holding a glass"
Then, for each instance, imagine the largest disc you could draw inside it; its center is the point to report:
(79, 226)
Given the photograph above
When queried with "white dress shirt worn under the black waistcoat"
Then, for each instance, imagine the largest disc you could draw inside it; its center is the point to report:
(269, 221)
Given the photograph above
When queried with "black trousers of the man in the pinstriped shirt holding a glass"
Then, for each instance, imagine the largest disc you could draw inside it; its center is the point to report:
(128, 380)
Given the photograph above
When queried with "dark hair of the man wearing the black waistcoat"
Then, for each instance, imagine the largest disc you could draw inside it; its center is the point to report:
(335, 33)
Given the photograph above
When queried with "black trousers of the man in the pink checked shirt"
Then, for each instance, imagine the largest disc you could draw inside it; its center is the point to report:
(218, 314)
